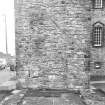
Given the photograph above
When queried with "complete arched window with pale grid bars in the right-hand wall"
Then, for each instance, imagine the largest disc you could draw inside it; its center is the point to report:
(97, 38)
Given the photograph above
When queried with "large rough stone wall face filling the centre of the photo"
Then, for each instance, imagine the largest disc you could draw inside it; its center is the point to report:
(52, 37)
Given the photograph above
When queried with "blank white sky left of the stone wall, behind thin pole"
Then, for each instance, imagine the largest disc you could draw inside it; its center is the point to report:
(7, 9)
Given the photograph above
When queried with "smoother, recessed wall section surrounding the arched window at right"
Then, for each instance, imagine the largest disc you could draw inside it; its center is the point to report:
(97, 54)
